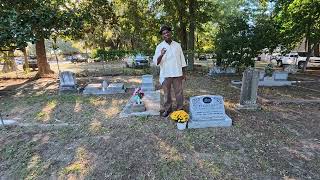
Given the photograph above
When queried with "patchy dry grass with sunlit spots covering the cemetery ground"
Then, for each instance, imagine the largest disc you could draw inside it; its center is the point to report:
(279, 141)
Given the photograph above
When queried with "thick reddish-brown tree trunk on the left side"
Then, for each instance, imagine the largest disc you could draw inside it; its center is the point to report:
(43, 65)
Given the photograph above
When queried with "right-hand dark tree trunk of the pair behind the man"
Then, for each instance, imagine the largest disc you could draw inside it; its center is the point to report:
(192, 27)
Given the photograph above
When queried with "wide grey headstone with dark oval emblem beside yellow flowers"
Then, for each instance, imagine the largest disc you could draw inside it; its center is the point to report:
(208, 111)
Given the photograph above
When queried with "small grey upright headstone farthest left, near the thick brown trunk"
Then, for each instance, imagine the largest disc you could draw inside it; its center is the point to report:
(67, 81)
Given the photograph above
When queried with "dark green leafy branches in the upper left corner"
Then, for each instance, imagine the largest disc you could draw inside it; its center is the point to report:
(28, 21)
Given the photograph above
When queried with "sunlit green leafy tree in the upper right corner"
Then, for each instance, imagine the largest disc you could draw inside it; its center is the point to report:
(299, 19)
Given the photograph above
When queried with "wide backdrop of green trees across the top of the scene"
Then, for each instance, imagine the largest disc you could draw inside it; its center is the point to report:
(233, 28)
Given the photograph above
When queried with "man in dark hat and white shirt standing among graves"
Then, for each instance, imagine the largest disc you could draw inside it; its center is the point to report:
(170, 58)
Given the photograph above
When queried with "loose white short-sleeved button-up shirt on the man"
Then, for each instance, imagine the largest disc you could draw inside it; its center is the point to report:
(172, 61)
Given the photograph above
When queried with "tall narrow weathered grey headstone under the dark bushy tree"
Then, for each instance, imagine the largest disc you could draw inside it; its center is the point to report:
(249, 89)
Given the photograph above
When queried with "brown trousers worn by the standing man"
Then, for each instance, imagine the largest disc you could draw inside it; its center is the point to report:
(176, 82)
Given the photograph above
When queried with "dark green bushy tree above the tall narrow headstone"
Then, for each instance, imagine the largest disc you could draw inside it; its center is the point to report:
(245, 34)
